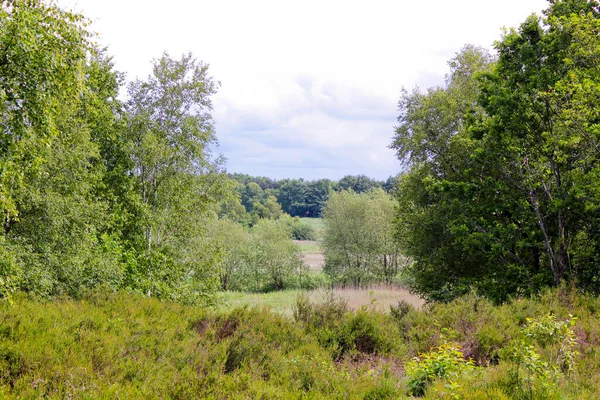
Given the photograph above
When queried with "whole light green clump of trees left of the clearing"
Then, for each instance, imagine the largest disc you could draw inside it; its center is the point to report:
(93, 190)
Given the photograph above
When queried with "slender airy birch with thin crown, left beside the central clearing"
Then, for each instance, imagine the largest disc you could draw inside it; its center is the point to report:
(170, 132)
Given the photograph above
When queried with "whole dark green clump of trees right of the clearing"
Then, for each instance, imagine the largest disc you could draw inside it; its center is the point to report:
(501, 192)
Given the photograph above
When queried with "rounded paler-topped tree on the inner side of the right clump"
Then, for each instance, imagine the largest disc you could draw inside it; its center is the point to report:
(431, 140)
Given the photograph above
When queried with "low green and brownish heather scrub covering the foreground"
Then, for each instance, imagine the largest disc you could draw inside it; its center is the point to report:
(130, 346)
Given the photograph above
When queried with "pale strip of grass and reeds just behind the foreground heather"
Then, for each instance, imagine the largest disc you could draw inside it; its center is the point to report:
(379, 298)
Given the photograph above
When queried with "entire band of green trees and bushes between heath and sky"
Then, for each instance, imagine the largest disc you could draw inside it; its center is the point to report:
(500, 191)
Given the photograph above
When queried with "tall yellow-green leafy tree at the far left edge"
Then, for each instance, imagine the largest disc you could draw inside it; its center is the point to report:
(58, 105)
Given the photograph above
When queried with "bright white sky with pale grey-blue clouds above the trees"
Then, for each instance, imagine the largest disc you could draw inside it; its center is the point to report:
(308, 89)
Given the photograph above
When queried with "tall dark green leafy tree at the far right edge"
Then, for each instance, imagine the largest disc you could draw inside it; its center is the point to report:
(543, 122)
